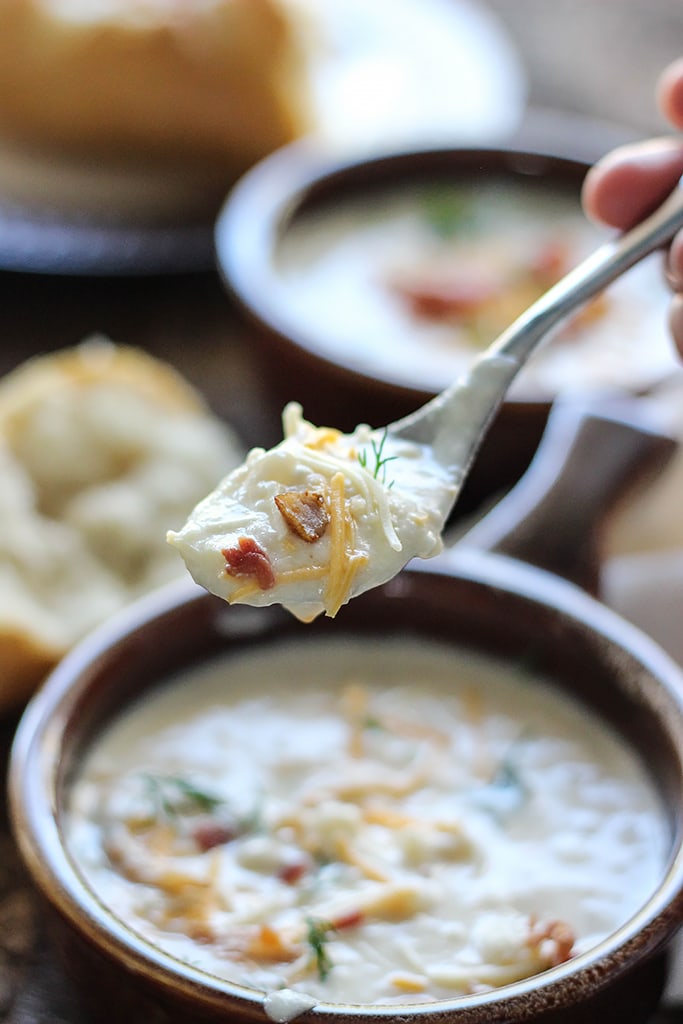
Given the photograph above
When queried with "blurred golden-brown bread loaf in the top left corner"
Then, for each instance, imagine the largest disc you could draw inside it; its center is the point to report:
(218, 82)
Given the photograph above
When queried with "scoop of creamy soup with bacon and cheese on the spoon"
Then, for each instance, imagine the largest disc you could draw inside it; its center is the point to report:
(318, 520)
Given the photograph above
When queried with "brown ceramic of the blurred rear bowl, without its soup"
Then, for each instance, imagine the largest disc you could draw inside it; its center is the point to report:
(330, 380)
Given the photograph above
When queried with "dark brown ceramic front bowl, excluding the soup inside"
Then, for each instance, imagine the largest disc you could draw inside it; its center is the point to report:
(484, 602)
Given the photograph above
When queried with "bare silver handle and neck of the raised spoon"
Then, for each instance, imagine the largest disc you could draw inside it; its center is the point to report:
(454, 423)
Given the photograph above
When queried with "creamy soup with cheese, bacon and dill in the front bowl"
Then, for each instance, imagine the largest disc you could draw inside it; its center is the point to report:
(361, 822)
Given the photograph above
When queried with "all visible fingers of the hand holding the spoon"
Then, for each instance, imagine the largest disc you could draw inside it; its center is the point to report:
(631, 182)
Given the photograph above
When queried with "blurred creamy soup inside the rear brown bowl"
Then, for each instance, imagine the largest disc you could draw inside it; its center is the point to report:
(410, 285)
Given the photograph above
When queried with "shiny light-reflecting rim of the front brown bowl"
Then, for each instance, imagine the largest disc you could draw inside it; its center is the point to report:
(35, 819)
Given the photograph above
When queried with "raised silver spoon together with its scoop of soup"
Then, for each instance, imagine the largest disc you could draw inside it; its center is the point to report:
(430, 452)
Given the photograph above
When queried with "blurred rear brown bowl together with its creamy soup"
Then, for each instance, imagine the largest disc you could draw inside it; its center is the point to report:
(370, 285)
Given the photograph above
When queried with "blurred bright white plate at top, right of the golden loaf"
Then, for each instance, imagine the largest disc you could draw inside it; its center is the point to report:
(397, 73)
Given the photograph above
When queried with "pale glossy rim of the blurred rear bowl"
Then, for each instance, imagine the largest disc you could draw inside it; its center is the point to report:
(271, 195)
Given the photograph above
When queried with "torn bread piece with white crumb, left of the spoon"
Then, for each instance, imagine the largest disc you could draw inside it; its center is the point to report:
(103, 449)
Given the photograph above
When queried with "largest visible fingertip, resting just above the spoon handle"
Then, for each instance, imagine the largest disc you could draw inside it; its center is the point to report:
(631, 182)
